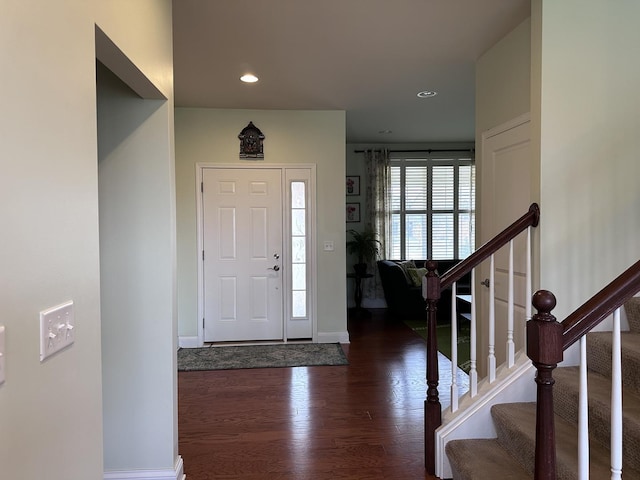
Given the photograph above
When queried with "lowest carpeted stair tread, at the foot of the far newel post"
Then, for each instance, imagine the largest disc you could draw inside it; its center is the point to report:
(483, 458)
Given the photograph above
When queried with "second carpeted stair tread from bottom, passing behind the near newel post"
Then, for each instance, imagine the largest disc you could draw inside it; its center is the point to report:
(516, 422)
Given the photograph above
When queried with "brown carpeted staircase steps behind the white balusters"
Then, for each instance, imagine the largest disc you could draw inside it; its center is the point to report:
(510, 456)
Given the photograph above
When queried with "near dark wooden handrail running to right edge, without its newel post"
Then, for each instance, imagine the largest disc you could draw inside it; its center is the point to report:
(601, 305)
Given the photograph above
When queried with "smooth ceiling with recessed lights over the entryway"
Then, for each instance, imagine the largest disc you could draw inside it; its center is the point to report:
(367, 57)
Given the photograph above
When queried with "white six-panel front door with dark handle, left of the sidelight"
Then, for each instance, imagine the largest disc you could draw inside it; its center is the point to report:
(242, 243)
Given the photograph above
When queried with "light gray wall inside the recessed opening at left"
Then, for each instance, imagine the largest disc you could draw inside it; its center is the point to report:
(137, 291)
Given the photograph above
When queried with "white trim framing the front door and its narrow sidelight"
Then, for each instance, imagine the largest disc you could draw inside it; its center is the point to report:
(313, 294)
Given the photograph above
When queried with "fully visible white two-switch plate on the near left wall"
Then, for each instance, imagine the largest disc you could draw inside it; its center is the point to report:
(56, 329)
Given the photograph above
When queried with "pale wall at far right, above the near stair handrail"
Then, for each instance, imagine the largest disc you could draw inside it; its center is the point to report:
(590, 125)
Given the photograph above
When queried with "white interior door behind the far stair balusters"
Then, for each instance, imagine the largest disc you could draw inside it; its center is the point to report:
(505, 197)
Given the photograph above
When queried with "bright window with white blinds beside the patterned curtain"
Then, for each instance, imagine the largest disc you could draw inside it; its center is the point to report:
(432, 208)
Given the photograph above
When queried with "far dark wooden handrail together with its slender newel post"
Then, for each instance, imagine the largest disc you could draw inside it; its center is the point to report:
(433, 286)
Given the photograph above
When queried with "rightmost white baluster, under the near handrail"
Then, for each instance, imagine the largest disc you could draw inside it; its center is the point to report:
(616, 401)
